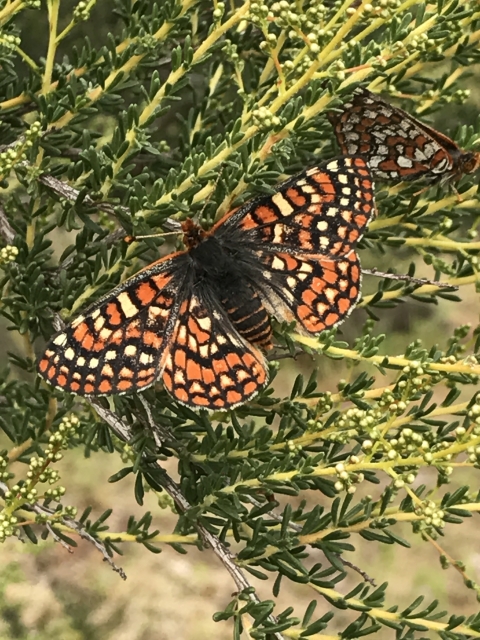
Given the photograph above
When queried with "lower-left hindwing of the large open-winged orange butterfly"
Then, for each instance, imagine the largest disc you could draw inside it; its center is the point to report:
(209, 365)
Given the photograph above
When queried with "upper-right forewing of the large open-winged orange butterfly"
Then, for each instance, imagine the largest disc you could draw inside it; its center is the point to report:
(323, 210)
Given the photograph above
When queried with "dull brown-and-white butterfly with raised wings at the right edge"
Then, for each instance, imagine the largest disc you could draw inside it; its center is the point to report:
(398, 146)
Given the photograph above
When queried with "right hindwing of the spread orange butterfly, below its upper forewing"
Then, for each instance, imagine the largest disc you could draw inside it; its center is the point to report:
(317, 292)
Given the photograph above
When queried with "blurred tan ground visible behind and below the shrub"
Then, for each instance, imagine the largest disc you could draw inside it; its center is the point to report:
(48, 594)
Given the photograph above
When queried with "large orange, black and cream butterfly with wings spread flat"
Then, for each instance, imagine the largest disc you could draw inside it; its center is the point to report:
(200, 318)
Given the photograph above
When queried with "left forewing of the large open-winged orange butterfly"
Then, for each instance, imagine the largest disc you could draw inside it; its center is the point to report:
(119, 343)
